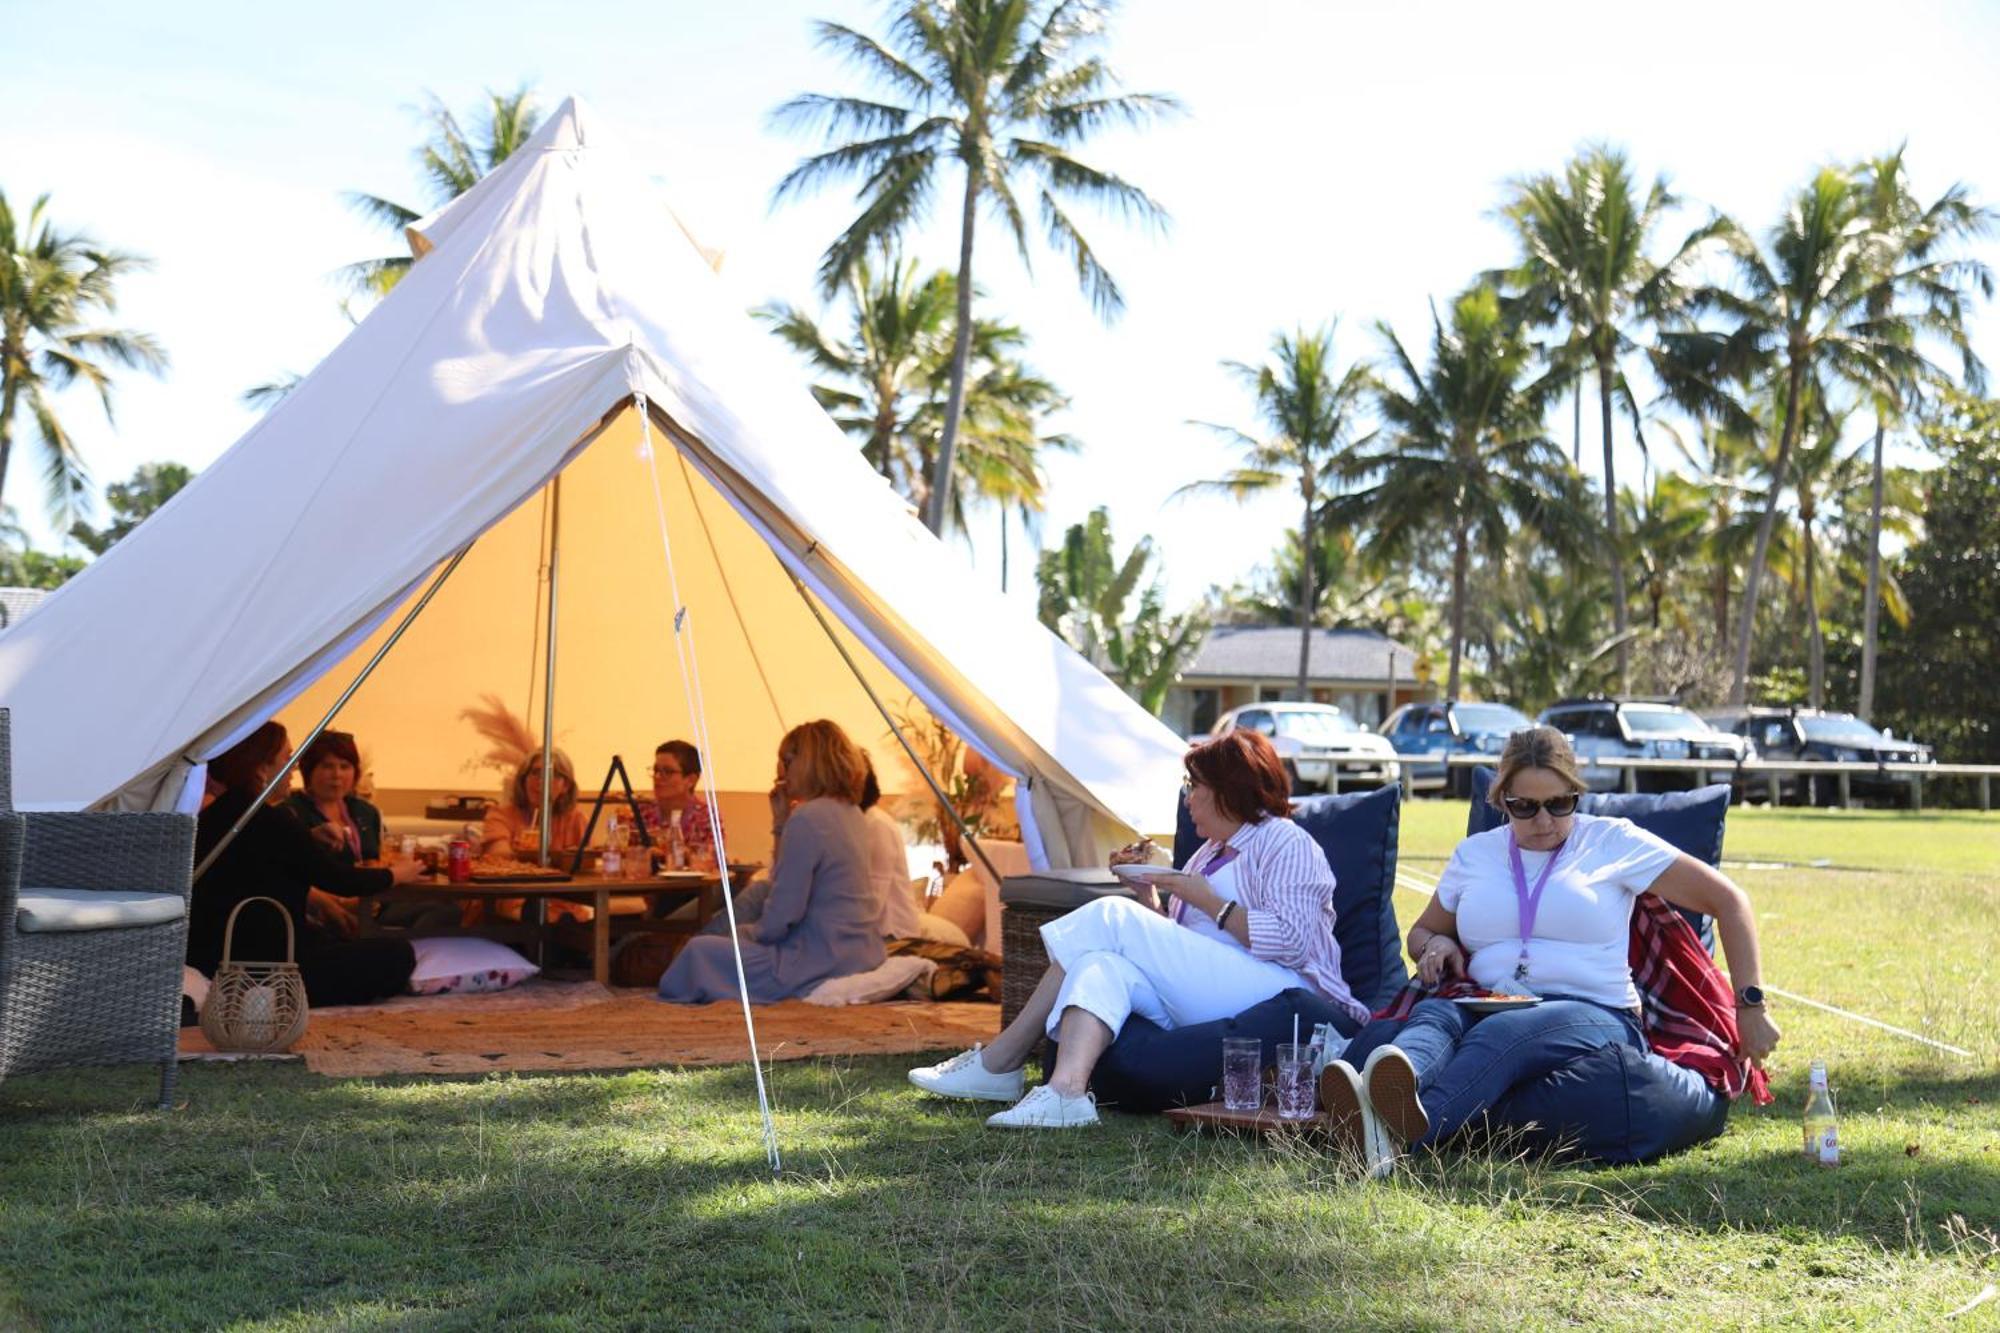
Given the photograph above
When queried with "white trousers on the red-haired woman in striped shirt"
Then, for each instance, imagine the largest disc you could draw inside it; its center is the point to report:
(1121, 960)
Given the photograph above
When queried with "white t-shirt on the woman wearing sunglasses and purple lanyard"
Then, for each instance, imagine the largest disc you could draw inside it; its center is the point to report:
(1583, 926)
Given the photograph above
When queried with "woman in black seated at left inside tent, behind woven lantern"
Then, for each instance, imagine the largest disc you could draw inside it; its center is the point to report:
(275, 858)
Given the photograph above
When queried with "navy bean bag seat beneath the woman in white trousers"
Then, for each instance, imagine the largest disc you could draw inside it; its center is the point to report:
(1151, 1068)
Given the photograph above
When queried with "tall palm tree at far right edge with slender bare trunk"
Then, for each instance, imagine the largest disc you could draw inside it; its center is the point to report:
(1929, 285)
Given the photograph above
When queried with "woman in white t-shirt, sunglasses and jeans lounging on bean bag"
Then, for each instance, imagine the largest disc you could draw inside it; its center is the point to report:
(1537, 908)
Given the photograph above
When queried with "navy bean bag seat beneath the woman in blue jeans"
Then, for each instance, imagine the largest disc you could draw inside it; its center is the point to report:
(1613, 1106)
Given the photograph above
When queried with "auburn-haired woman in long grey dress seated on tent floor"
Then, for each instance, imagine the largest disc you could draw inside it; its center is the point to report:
(821, 914)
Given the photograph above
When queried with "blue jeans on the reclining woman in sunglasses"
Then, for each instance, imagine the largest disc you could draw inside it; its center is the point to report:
(1467, 1064)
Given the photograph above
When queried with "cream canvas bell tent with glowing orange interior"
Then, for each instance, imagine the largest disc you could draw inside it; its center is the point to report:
(551, 299)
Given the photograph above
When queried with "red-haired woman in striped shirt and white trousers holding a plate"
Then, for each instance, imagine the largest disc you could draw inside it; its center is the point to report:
(1253, 916)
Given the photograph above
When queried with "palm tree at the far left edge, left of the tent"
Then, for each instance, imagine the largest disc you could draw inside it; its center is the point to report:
(55, 289)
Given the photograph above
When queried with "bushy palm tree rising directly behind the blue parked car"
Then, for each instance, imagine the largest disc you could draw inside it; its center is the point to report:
(1465, 451)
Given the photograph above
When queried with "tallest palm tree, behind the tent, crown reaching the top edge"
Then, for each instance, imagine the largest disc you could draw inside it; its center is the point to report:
(1005, 89)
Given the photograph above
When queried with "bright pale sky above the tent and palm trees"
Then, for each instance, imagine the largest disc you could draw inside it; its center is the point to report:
(1337, 161)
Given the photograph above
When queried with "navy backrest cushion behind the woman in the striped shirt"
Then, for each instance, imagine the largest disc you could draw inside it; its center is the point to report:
(1359, 836)
